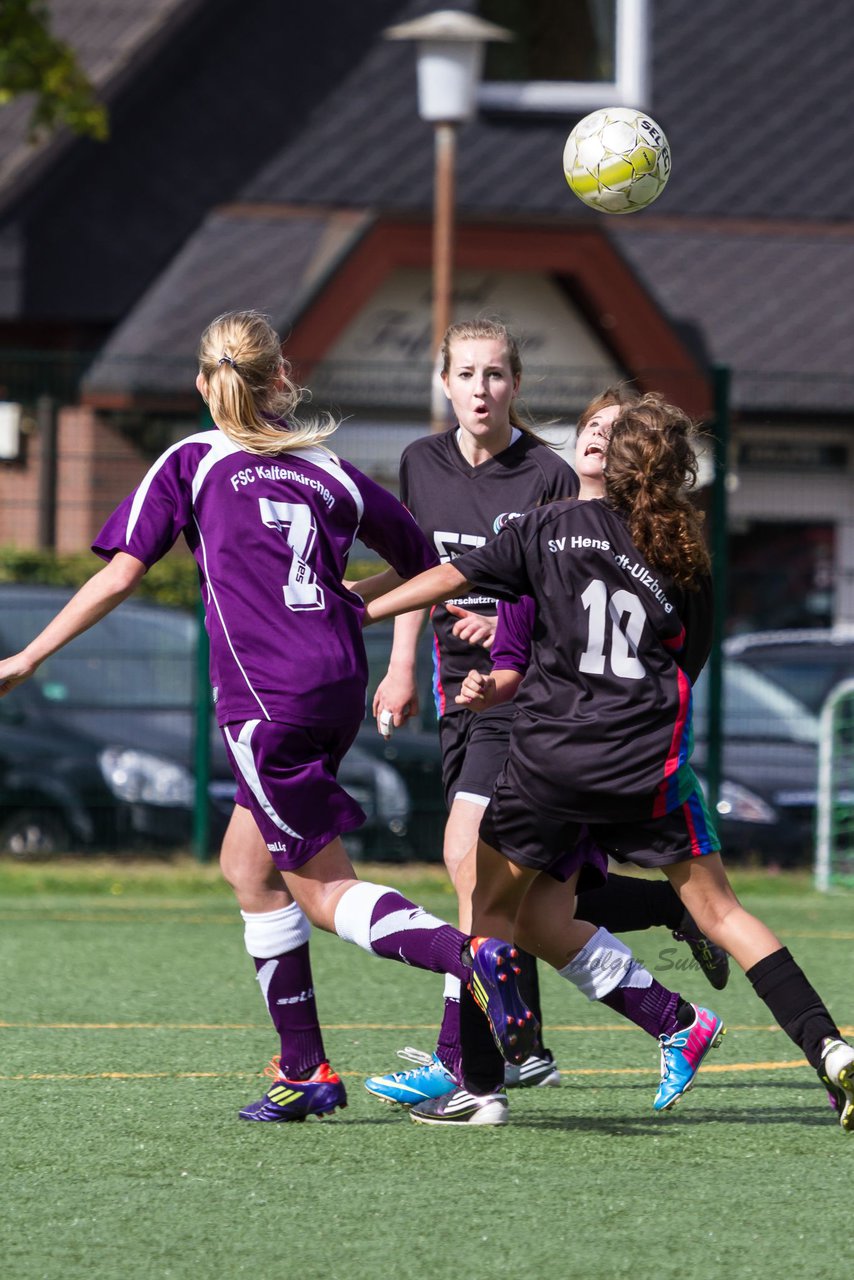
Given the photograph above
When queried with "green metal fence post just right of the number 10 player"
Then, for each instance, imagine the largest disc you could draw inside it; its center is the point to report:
(720, 565)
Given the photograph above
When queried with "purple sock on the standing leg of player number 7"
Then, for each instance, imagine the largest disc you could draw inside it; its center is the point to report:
(287, 988)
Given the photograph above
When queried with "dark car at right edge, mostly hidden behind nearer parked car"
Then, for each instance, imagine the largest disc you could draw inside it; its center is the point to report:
(809, 664)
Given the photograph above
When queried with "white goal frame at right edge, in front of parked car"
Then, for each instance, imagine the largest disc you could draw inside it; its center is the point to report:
(835, 808)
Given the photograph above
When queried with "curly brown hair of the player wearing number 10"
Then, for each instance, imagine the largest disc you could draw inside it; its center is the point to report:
(650, 469)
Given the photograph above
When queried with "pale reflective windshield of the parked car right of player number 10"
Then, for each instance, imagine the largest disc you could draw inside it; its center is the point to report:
(755, 708)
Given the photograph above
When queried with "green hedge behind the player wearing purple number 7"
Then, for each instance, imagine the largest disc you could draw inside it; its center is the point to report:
(173, 580)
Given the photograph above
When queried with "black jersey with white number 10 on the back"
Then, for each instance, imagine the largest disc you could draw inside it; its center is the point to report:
(604, 715)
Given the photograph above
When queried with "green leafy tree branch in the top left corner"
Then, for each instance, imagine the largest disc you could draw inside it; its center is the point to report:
(33, 61)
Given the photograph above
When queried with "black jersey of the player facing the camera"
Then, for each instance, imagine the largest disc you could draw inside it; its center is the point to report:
(459, 508)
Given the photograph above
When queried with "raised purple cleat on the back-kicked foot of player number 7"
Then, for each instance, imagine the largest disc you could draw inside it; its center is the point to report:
(495, 989)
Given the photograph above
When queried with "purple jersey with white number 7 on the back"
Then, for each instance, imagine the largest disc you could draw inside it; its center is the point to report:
(271, 537)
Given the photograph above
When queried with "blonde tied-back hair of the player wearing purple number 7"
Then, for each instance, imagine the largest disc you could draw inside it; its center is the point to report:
(248, 387)
